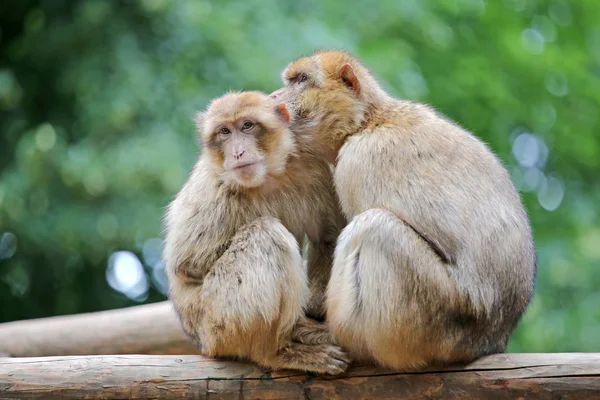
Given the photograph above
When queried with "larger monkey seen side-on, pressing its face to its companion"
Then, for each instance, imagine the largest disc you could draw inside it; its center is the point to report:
(437, 264)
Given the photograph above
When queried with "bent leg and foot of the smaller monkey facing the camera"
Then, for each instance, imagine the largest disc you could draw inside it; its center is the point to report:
(251, 301)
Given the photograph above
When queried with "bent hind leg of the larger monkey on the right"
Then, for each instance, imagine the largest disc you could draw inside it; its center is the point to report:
(390, 296)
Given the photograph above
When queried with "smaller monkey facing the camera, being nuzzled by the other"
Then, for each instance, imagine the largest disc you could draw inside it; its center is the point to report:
(237, 278)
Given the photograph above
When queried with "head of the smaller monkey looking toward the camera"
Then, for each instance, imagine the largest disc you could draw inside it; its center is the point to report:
(246, 137)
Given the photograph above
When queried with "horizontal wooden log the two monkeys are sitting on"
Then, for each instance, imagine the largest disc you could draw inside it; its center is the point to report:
(500, 376)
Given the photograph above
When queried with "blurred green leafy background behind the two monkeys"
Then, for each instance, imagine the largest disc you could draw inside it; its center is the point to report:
(97, 100)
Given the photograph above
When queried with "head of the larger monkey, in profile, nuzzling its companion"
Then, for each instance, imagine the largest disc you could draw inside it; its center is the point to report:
(328, 95)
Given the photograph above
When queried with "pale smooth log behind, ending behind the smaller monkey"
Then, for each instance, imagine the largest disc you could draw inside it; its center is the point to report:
(147, 329)
